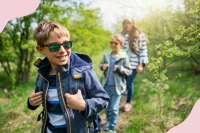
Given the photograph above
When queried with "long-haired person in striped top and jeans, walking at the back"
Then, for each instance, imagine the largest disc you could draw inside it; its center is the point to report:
(136, 47)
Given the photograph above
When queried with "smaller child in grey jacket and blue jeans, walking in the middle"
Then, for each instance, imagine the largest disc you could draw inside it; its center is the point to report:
(115, 65)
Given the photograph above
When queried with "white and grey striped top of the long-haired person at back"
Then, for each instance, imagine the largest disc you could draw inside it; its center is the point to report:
(139, 57)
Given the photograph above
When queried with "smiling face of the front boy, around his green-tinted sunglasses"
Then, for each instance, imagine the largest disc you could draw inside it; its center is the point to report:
(58, 58)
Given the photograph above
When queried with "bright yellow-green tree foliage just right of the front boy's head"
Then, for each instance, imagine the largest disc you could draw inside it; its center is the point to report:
(88, 32)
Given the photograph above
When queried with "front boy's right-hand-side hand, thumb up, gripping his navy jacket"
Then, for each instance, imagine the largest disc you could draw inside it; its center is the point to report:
(75, 101)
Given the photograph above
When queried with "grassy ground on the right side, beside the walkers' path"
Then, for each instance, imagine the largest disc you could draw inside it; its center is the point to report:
(178, 101)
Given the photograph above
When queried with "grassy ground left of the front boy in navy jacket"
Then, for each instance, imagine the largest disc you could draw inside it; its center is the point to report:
(15, 116)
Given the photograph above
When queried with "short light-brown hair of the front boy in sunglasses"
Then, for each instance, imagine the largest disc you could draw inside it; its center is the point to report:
(42, 32)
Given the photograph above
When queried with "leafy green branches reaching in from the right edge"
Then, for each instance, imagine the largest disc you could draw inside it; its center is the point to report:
(185, 45)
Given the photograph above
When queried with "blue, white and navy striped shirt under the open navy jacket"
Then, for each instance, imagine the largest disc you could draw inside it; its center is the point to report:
(56, 120)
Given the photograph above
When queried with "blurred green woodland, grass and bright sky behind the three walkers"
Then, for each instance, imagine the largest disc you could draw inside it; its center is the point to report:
(164, 93)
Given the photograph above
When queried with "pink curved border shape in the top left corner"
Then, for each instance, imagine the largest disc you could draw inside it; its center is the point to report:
(10, 9)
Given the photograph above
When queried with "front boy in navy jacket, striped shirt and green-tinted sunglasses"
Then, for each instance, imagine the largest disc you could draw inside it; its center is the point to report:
(67, 87)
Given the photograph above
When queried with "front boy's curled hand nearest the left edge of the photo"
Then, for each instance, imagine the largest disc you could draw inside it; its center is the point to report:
(35, 99)
